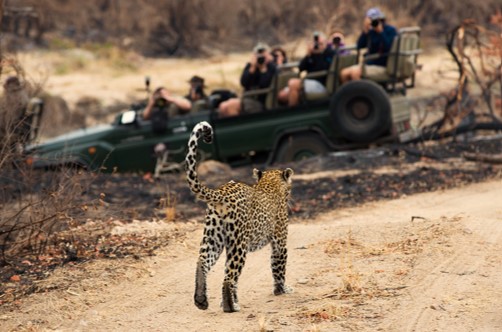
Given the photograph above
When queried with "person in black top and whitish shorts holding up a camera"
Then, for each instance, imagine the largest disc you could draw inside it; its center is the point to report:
(318, 58)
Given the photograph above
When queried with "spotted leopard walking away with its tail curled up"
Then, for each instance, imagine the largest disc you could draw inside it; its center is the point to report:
(240, 218)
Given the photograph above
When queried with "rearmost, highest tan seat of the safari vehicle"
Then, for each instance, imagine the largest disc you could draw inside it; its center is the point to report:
(402, 60)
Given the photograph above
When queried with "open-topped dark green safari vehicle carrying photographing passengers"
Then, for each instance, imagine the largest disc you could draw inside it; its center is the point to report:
(353, 115)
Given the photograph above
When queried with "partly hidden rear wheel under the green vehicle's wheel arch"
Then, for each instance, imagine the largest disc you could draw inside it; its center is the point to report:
(300, 146)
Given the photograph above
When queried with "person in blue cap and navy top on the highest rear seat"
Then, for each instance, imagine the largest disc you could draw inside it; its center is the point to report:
(377, 36)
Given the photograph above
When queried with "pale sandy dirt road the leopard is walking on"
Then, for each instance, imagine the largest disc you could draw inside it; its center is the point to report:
(428, 262)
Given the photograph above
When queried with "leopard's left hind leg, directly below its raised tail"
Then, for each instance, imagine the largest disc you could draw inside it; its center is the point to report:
(210, 250)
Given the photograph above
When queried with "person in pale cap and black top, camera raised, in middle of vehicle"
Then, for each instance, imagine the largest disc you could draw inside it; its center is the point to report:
(257, 74)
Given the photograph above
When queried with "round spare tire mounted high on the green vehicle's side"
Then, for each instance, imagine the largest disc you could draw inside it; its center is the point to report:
(360, 111)
